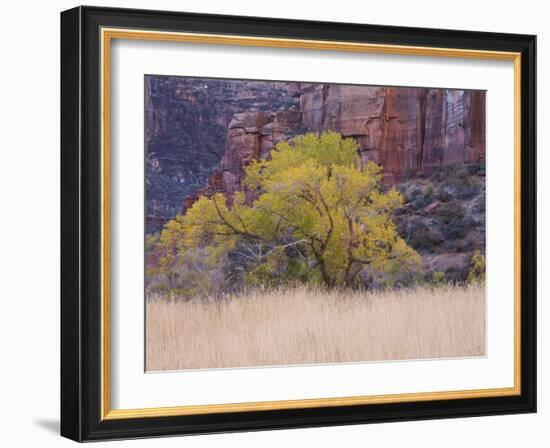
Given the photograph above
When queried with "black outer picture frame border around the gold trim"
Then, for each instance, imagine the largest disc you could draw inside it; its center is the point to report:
(81, 415)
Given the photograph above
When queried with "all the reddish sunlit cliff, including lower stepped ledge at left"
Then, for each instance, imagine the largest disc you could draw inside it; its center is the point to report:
(406, 130)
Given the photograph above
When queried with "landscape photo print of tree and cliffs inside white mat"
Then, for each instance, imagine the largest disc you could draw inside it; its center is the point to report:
(293, 223)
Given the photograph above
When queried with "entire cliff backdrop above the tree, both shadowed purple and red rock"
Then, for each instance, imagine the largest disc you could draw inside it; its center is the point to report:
(201, 133)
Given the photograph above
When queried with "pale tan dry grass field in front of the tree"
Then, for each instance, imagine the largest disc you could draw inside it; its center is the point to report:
(305, 326)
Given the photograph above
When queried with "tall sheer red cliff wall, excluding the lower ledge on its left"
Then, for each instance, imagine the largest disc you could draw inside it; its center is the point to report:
(402, 129)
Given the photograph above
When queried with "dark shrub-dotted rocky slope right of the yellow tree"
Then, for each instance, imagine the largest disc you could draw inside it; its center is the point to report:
(443, 218)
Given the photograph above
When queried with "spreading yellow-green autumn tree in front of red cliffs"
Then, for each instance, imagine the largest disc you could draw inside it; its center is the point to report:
(312, 212)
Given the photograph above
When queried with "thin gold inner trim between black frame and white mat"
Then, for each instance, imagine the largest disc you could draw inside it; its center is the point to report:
(107, 35)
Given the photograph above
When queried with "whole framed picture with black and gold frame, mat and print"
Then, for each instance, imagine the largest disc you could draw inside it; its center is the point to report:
(273, 223)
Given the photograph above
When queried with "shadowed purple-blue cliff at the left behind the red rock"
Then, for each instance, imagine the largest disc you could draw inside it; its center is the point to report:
(186, 128)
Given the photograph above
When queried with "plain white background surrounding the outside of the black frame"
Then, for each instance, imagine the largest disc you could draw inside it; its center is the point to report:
(29, 249)
